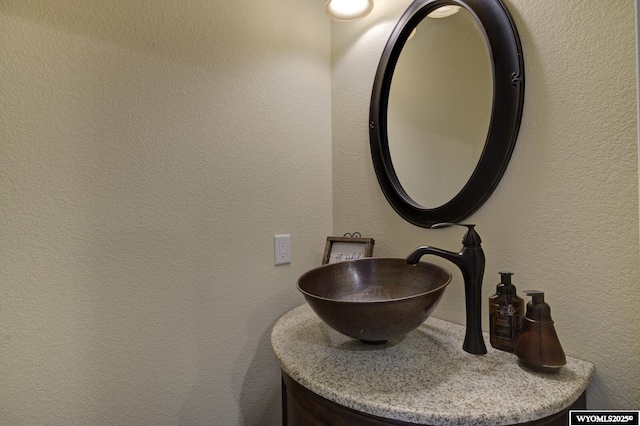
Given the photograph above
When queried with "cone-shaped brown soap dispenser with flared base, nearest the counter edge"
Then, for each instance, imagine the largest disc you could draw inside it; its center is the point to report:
(539, 348)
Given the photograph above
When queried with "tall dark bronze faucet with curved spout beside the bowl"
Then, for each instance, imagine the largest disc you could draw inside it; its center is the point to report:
(471, 261)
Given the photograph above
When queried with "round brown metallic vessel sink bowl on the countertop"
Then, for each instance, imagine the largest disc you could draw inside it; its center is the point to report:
(374, 299)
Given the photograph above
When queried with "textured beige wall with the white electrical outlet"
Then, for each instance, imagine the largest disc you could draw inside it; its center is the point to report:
(149, 151)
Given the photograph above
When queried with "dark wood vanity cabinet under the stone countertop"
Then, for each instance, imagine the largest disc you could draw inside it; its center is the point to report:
(301, 407)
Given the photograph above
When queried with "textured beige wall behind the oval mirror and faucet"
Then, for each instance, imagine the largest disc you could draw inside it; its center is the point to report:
(565, 217)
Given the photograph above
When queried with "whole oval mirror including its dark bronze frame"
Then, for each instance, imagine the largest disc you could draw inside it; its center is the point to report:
(446, 107)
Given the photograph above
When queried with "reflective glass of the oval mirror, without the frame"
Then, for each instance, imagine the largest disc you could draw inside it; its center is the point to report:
(435, 146)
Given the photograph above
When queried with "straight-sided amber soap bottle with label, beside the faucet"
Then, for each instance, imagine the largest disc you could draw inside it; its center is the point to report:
(506, 310)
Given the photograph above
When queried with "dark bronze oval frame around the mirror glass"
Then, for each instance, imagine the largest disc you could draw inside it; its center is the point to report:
(508, 99)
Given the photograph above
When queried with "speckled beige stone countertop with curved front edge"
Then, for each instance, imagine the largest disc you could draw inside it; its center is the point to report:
(424, 377)
